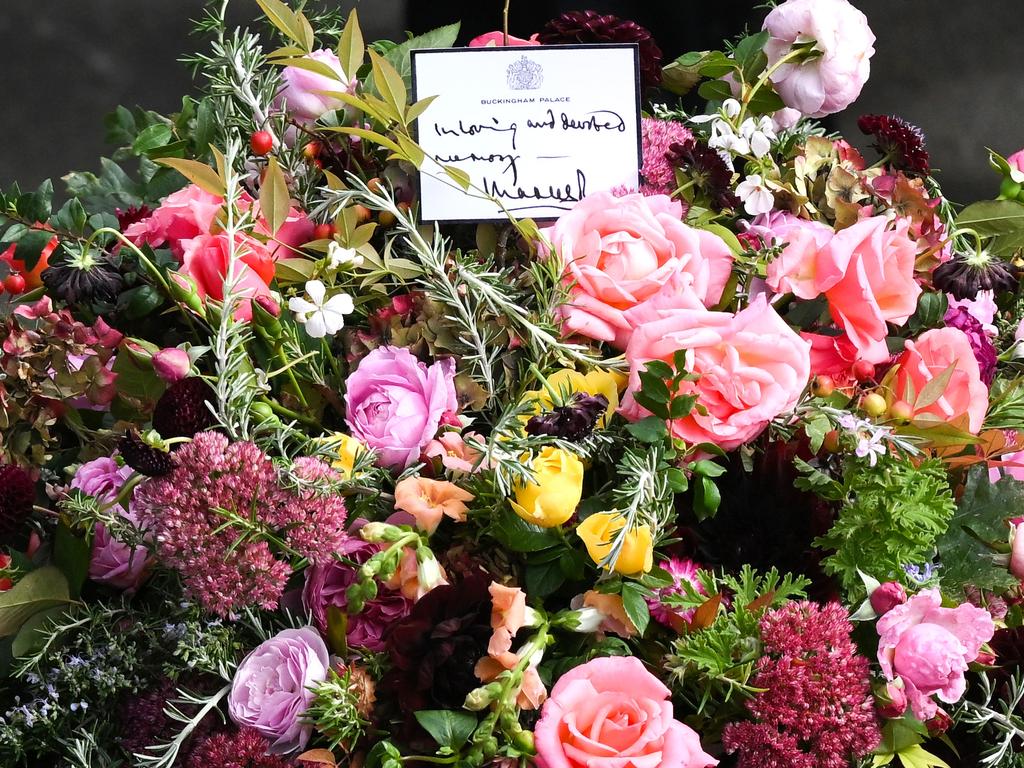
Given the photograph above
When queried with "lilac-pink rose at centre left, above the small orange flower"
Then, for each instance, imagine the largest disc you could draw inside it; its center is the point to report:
(396, 404)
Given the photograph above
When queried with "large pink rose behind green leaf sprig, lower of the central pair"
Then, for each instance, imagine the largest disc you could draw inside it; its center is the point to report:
(752, 368)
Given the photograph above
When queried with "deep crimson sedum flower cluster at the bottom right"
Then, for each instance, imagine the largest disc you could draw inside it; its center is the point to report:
(817, 710)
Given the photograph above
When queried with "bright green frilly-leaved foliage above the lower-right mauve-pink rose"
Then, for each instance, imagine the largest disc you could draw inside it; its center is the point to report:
(891, 516)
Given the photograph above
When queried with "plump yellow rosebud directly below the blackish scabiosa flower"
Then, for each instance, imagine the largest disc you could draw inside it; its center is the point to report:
(557, 490)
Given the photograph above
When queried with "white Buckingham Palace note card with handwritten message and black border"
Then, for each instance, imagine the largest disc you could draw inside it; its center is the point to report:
(538, 129)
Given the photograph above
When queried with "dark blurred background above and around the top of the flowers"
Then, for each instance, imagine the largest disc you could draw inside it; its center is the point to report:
(952, 68)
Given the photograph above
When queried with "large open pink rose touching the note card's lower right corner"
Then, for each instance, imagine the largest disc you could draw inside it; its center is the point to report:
(619, 253)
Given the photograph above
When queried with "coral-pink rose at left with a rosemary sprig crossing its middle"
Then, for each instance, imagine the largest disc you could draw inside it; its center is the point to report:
(206, 259)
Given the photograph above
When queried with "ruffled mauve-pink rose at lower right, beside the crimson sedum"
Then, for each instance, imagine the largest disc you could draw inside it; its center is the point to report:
(929, 649)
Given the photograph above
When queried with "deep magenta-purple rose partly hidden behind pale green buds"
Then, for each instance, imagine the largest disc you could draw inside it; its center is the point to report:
(327, 584)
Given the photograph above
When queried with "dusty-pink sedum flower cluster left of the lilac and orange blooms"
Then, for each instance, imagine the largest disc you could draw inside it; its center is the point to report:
(190, 513)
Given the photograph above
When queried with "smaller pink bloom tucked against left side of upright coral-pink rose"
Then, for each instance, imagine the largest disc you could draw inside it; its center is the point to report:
(795, 270)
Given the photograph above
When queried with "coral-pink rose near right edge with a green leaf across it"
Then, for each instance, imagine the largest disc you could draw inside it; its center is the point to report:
(926, 360)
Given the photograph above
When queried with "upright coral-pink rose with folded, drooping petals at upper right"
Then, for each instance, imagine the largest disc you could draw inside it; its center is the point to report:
(867, 273)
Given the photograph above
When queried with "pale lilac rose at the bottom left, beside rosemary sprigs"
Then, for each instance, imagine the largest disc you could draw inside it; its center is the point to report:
(271, 690)
